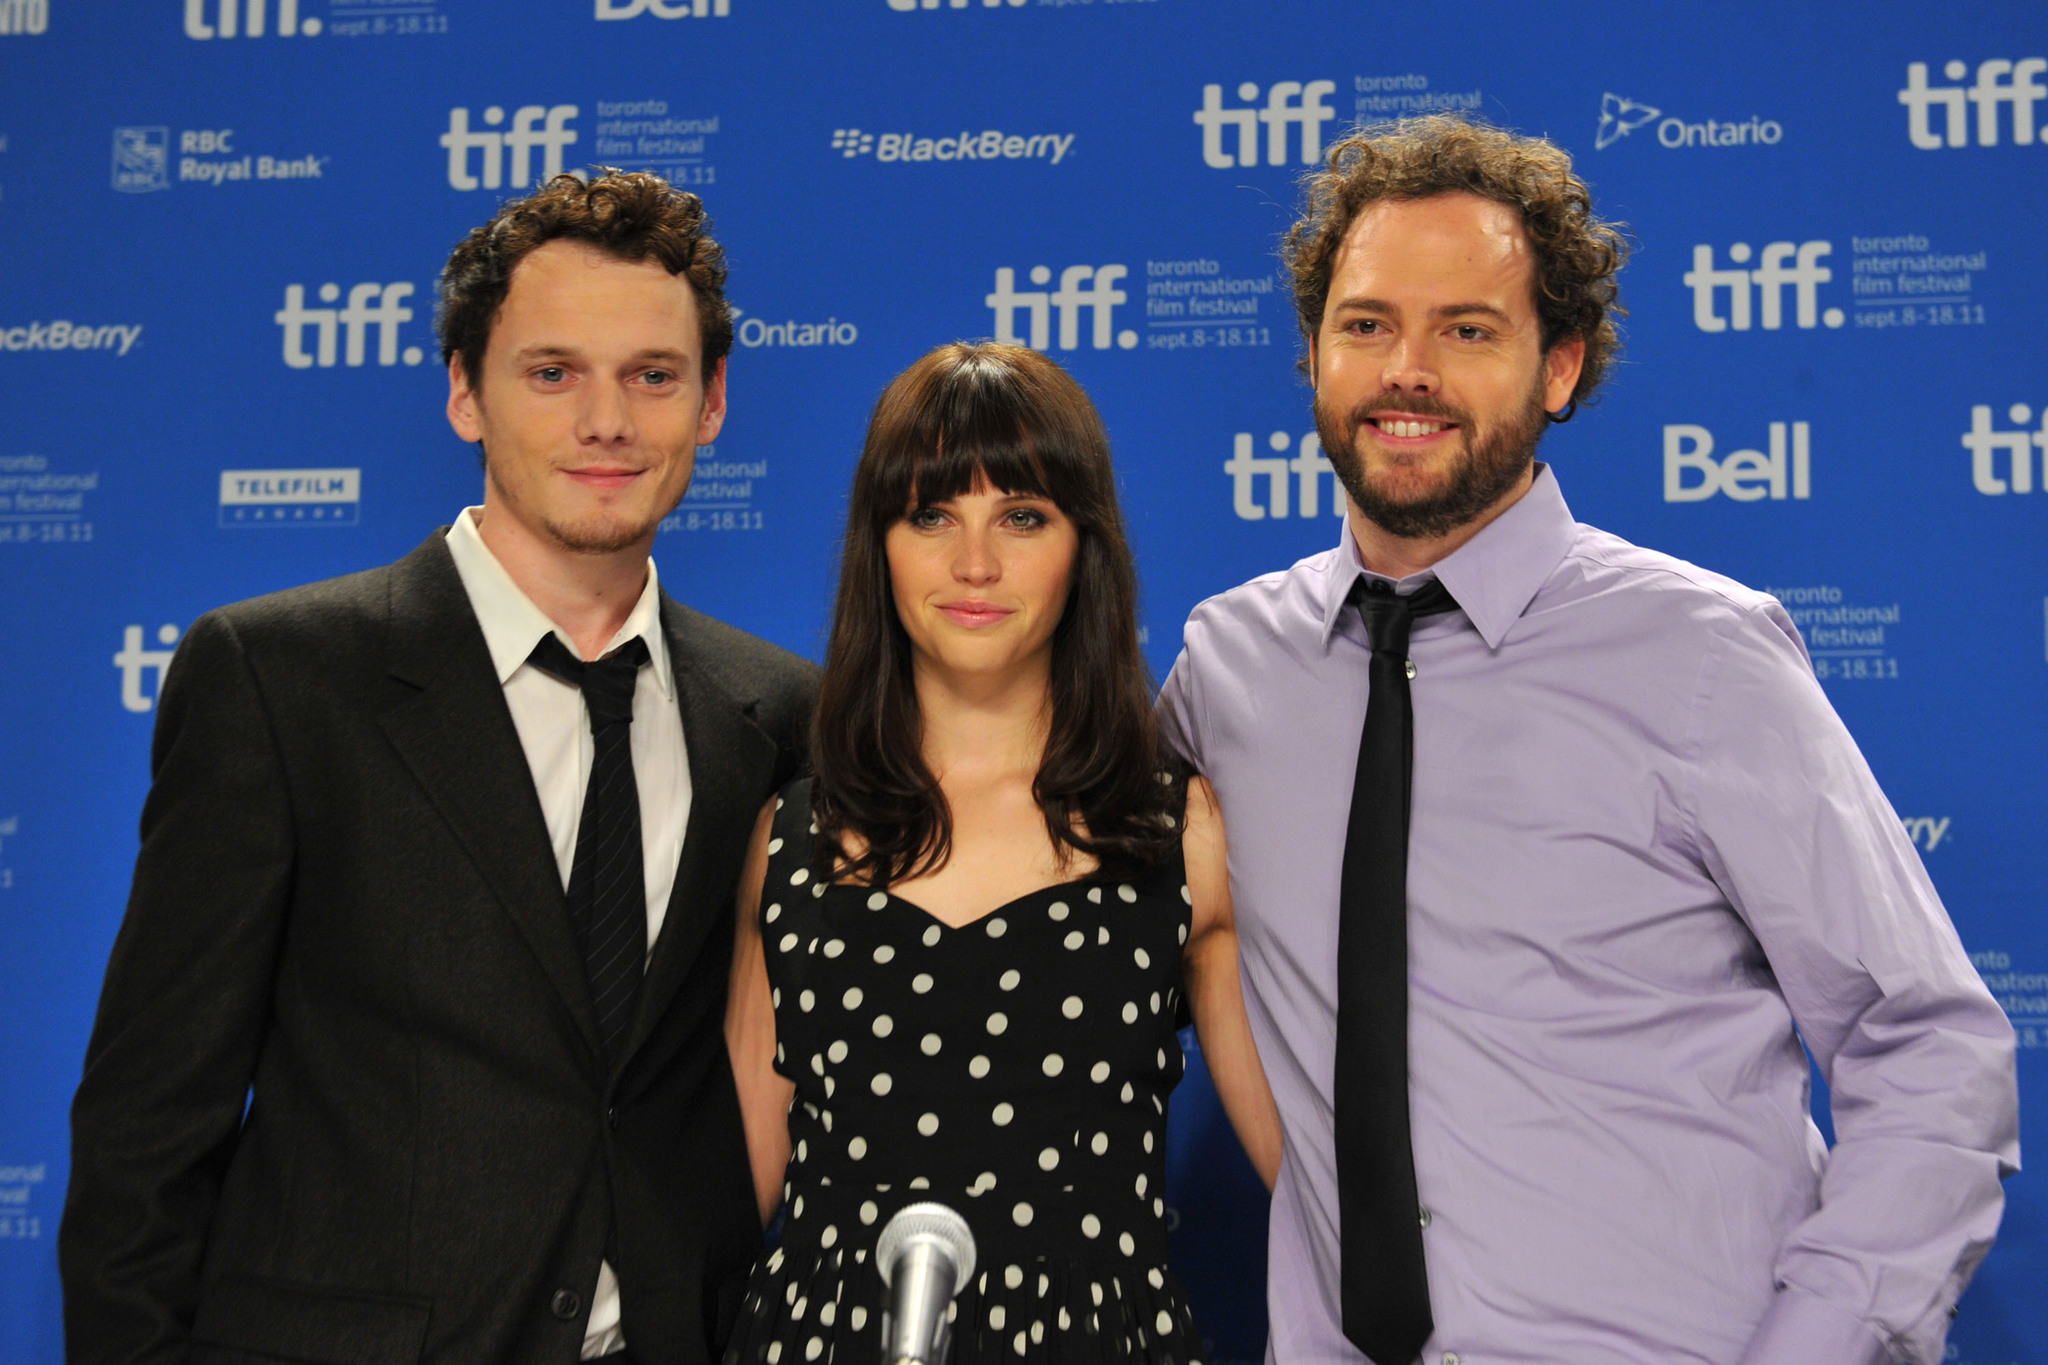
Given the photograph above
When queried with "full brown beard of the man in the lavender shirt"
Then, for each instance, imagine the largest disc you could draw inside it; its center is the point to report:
(1496, 457)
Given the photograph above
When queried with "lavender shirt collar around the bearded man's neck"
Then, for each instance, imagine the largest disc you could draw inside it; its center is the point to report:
(1494, 576)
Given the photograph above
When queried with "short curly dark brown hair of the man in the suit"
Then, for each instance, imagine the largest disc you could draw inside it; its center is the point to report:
(632, 216)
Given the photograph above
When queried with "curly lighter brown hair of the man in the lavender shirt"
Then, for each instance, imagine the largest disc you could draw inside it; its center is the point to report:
(1578, 255)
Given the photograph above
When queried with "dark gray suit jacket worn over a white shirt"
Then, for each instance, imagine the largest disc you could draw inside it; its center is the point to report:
(345, 1096)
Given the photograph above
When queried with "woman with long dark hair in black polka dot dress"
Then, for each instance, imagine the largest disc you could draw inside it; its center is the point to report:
(964, 949)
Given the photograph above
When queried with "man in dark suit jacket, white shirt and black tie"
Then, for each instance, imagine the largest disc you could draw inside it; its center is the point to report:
(411, 1045)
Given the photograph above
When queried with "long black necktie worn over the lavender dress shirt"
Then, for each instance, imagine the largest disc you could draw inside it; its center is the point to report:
(1385, 1284)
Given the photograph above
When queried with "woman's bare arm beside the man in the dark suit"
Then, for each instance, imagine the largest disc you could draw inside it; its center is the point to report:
(751, 1032)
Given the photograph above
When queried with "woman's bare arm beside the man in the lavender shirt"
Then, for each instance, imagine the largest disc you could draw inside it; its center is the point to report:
(1215, 992)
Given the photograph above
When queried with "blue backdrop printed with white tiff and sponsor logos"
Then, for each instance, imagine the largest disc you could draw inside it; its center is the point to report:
(222, 224)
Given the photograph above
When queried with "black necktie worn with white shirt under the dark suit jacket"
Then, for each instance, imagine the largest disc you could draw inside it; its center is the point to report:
(607, 881)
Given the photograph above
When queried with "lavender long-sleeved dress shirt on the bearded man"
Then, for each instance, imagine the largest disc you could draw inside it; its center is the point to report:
(1644, 852)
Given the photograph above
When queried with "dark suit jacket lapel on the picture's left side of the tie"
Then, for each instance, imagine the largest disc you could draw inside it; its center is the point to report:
(462, 746)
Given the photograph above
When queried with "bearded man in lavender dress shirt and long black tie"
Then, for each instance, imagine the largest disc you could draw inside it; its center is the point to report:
(1531, 973)
